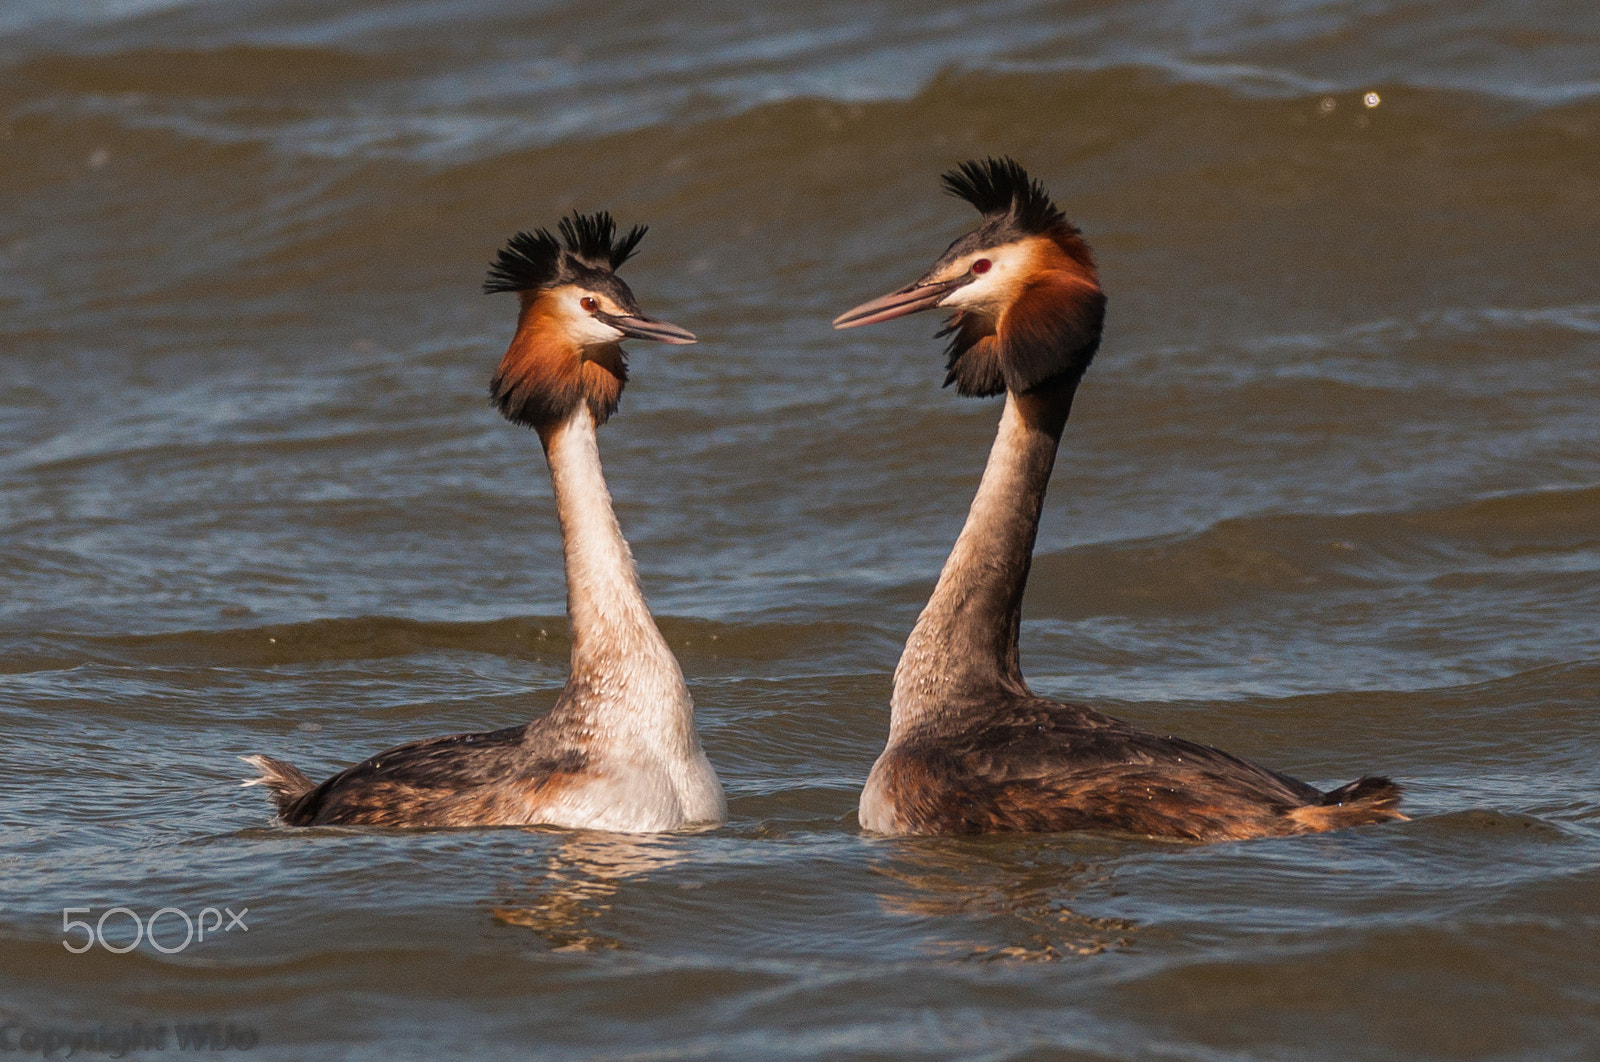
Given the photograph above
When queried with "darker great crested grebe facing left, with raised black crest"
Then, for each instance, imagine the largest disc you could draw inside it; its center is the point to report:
(972, 749)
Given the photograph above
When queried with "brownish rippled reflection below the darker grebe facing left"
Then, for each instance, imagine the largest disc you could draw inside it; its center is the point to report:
(1014, 901)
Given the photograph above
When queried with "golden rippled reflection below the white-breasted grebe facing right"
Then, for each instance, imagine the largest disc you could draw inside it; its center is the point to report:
(585, 872)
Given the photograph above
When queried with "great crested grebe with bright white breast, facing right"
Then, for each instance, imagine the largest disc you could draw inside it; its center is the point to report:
(618, 751)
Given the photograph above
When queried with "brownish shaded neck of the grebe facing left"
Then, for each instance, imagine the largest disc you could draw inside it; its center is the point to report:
(964, 649)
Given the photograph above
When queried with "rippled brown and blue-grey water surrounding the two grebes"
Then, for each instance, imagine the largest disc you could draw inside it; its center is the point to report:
(1330, 500)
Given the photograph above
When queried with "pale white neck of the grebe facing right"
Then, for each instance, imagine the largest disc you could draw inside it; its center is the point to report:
(625, 682)
